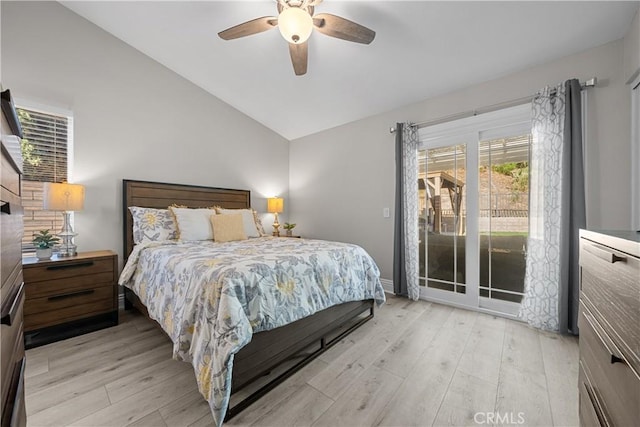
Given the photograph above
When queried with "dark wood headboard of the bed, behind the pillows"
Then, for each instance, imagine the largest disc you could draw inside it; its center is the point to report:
(160, 195)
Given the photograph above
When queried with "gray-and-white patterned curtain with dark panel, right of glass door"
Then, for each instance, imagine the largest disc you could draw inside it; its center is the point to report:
(556, 207)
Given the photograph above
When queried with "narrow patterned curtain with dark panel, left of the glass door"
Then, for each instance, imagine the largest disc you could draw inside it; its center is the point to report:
(405, 253)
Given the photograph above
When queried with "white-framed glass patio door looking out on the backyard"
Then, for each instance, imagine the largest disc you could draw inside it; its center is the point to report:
(473, 210)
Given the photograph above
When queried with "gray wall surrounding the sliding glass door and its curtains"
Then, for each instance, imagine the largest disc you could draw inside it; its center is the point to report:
(342, 178)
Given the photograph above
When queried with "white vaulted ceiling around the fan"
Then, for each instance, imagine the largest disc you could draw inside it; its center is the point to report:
(421, 49)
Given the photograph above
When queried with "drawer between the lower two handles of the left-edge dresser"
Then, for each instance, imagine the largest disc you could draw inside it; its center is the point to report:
(11, 346)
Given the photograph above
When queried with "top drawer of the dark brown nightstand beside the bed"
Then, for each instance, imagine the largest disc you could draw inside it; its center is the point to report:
(61, 269)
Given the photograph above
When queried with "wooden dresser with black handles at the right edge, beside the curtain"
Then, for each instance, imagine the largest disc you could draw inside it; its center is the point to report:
(609, 379)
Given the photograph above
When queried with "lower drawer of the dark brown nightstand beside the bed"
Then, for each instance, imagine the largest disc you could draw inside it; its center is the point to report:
(59, 300)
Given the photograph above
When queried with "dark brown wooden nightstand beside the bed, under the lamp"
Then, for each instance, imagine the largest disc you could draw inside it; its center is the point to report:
(69, 296)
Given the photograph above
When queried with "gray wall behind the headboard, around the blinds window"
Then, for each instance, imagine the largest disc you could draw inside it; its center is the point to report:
(134, 118)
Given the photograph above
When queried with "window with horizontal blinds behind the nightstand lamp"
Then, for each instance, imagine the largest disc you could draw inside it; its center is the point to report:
(45, 148)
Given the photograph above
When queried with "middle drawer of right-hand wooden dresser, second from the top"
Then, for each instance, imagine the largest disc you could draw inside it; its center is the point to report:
(614, 384)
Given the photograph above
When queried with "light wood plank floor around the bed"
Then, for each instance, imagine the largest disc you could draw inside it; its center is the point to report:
(415, 363)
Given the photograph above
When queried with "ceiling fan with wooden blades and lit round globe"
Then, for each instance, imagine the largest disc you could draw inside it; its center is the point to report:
(296, 23)
